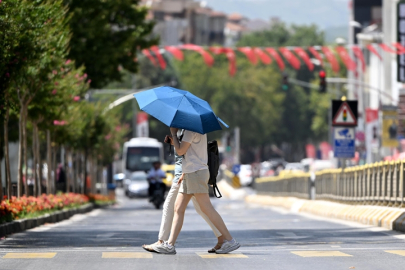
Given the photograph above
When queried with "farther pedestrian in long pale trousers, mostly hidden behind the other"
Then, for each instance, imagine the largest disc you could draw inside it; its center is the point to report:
(168, 207)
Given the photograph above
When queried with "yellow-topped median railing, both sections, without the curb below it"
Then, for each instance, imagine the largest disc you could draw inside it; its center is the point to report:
(380, 183)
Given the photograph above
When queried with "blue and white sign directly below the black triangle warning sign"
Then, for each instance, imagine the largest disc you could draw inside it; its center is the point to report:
(344, 146)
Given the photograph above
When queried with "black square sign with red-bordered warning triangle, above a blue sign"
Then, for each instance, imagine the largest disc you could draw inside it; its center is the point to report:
(344, 113)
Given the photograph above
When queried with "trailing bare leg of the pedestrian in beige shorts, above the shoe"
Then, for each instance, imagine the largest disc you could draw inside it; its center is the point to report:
(207, 208)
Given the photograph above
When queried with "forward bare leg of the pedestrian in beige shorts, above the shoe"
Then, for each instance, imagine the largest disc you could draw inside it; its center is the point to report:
(179, 211)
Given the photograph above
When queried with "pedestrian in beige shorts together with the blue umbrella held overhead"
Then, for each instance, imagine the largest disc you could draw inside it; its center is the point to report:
(181, 109)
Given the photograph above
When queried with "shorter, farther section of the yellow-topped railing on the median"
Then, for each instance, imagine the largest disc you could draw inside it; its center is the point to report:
(292, 185)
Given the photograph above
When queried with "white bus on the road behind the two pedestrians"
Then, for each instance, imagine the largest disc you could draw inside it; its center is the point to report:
(139, 154)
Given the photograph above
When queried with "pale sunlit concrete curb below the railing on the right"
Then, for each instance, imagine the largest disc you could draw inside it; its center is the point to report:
(379, 216)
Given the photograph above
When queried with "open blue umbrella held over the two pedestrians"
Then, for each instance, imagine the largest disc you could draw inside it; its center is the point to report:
(180, 109)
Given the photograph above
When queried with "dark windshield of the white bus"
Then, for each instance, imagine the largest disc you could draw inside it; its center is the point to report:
(141, 158)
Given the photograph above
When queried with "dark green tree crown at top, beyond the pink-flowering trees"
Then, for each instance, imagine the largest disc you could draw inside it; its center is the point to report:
(107, 34)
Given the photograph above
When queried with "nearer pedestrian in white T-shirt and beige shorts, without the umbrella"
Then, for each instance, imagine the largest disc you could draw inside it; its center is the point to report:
(194, 184)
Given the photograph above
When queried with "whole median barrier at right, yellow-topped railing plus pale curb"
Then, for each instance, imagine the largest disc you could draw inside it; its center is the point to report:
(371, 194)
